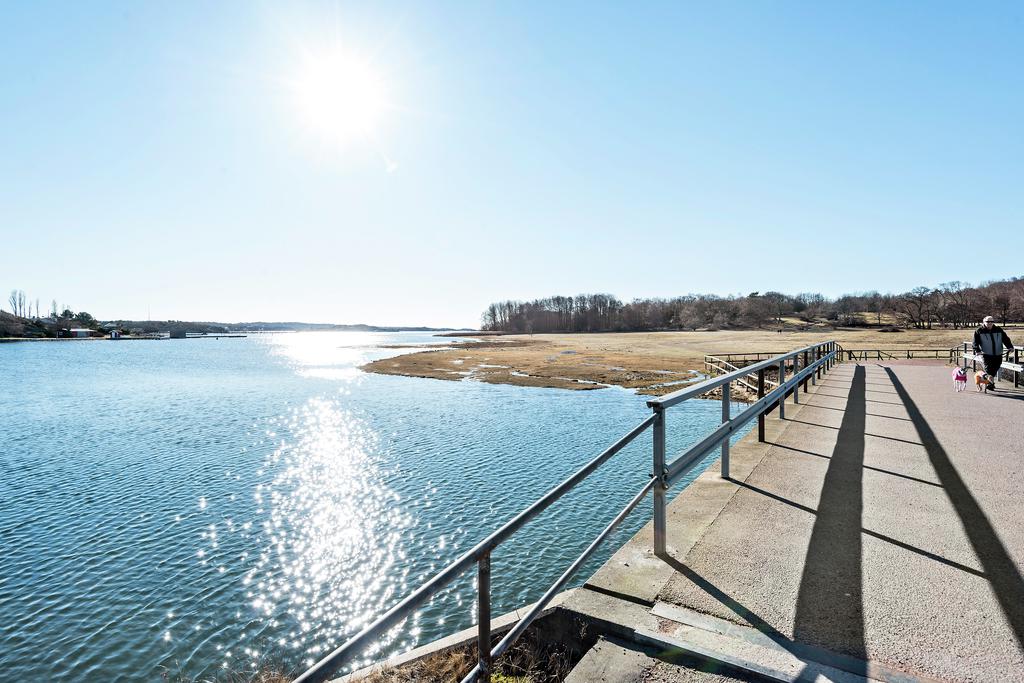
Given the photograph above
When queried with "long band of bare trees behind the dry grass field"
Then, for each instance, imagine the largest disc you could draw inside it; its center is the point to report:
(953, 305)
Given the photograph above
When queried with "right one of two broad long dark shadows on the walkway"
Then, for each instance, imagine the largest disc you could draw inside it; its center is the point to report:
(1008, 586)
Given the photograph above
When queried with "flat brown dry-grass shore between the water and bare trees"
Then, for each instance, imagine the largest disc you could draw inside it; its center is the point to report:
(651, 363)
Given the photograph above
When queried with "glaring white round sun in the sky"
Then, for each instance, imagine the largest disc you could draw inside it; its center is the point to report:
(340, 98)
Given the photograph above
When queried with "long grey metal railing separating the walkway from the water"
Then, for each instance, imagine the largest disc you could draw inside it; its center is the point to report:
(808, 365)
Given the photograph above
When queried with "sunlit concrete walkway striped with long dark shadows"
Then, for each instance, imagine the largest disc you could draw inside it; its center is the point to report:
(878, 533)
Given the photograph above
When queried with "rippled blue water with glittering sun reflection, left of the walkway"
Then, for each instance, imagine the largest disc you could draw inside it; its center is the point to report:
(194, 508)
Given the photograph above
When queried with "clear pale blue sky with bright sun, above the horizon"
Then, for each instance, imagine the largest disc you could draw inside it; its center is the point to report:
(162, 157)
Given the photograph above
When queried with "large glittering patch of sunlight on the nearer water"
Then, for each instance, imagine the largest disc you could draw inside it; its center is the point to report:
(331, 533)
